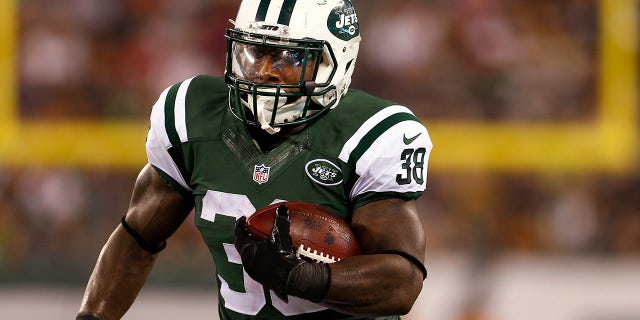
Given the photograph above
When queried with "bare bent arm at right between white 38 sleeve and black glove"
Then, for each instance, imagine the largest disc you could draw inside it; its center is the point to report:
(381, 281)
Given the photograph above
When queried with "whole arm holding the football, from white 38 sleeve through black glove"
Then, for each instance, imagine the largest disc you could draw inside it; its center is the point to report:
(387, 278)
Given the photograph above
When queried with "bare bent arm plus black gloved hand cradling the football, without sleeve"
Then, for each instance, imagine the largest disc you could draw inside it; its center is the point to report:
(385, 280)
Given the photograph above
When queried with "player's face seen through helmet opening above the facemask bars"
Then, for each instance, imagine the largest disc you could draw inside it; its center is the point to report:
(270, 65)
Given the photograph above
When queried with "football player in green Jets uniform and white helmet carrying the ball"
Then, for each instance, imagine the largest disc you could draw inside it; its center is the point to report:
(281, 125)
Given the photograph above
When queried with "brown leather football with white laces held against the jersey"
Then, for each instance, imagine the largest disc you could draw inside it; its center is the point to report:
(318, 234)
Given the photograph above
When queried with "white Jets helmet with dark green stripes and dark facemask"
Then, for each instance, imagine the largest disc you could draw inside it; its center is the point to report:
(289, 61)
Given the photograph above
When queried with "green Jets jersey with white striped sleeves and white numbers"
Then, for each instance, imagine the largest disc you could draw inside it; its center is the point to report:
(364, 150)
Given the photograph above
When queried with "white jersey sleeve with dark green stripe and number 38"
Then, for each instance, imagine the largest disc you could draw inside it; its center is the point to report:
(390, 152)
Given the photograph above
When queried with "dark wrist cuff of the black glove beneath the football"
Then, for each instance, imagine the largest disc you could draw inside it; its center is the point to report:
(309, 281)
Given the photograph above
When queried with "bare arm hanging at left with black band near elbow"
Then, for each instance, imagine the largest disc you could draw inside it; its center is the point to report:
(155, 212)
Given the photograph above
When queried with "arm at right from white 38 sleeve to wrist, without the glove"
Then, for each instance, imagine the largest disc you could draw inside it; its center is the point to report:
(387, 278)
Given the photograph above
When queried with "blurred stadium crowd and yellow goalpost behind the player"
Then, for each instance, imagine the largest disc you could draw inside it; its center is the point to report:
(533, 205)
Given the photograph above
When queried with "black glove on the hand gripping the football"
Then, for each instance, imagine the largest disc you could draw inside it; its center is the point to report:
(274, 262)
